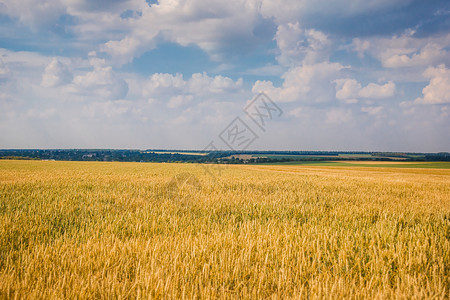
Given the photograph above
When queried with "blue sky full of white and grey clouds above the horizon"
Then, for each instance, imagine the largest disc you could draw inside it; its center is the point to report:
(348, 75)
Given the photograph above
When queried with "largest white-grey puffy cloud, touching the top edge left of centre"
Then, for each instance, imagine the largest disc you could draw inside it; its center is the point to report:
(217, 28)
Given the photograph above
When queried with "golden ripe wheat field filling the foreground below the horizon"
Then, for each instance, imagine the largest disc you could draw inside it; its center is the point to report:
(143, 230)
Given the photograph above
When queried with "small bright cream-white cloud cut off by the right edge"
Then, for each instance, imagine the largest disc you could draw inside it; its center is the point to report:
(438, 90)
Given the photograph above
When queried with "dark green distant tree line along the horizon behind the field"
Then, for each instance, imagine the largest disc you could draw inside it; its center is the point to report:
(195, 156)
